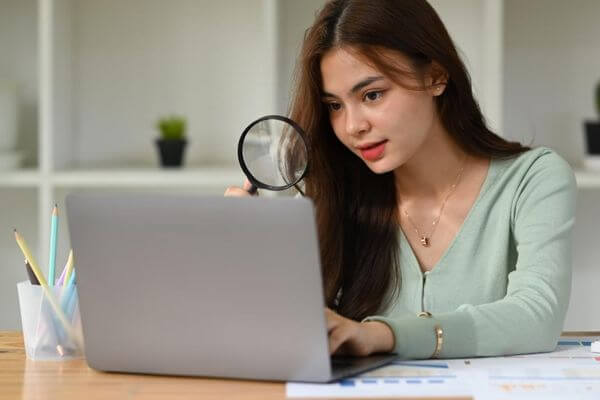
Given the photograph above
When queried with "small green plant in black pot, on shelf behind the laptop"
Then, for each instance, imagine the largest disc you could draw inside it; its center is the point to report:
(172, 141)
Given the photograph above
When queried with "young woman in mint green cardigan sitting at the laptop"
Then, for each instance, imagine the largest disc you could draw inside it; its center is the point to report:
(438, 238)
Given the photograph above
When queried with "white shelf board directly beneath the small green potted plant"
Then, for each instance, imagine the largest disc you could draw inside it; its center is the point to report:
(192, 177)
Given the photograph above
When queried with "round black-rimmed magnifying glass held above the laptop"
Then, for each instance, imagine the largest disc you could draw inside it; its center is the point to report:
(273, 153)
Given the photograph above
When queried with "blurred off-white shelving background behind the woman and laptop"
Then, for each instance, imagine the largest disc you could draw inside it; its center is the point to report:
(83, 84)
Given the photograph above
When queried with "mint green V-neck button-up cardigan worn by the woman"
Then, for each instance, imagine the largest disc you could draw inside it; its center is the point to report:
(503, 284)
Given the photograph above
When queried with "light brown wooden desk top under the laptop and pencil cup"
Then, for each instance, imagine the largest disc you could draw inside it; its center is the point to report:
(24, 379)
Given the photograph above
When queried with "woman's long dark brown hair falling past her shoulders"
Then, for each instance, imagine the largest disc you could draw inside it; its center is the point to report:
(356, 209)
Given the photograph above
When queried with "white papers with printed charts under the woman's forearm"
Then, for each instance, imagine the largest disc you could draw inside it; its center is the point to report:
(571, 371)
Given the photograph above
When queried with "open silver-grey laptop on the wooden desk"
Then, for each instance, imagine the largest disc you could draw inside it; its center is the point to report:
(203, 286)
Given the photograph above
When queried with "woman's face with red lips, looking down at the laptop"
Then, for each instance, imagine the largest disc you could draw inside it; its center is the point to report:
(380, 121)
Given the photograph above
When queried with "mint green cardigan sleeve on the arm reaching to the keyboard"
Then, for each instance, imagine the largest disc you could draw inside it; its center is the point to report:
(530, 317)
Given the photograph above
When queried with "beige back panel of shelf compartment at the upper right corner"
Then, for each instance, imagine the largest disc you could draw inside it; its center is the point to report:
(552, 63)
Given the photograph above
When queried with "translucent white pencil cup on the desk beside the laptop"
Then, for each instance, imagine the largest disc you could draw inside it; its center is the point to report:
(47, 336)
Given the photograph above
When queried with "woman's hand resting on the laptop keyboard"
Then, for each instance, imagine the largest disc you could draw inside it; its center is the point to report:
(348, 337)
